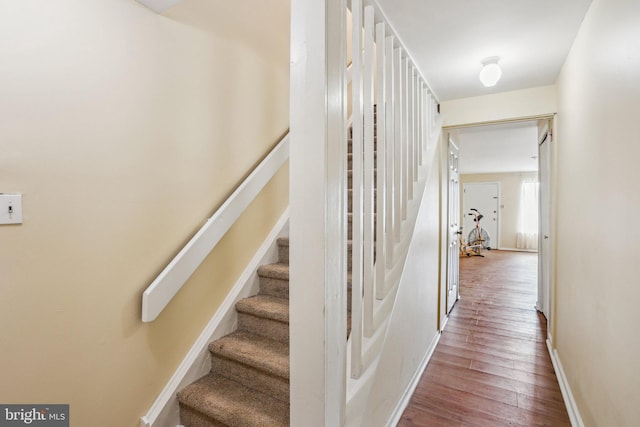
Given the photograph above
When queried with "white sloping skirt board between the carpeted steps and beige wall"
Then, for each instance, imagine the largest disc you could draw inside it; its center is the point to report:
(165, 411)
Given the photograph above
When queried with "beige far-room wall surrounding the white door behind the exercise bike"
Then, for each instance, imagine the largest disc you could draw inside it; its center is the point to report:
(509, 202)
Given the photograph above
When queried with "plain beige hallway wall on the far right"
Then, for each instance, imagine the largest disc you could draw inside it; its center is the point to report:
(598, 203)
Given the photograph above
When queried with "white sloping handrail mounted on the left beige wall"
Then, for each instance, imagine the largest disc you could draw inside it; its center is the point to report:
(160, 292)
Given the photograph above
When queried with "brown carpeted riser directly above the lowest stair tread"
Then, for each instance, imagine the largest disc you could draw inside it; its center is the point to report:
(274, 386)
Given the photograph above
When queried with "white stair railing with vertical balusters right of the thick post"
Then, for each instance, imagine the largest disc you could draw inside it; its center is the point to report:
(387, 156)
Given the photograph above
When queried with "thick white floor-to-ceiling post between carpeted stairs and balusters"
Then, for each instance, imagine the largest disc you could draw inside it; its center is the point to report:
(317, 213)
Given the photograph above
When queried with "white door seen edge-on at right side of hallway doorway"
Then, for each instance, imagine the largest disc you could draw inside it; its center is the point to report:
(544, 224)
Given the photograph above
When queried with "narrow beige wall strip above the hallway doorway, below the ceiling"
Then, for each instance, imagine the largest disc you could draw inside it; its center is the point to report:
(526, 103)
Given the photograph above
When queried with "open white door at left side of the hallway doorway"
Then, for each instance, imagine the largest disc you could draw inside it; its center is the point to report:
(453, 263)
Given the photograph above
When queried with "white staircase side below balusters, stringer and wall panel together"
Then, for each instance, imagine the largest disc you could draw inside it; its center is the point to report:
(390, 363)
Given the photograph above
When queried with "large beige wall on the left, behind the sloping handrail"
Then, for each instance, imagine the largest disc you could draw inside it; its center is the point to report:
(124, 130)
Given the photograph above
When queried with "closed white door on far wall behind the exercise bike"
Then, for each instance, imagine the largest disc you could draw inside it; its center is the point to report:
(483, 196)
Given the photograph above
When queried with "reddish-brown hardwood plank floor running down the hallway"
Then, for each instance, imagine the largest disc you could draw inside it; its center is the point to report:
(491, 366)
